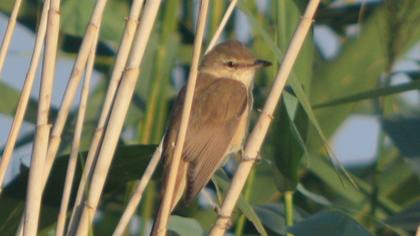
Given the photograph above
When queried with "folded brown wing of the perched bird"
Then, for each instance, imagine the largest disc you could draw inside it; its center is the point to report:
(218, 106)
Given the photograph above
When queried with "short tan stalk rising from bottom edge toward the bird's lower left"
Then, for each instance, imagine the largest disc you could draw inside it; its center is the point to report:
(138, 193)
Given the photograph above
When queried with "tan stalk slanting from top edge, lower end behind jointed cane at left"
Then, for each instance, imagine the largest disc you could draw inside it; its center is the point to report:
(90, 40)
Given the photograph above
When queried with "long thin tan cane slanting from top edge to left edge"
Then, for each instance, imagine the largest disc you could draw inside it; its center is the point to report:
(24, 95)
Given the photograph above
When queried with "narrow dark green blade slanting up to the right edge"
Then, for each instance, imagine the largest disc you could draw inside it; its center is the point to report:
(370, 94)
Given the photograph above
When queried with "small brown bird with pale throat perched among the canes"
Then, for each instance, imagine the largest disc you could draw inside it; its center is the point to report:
(218, 121)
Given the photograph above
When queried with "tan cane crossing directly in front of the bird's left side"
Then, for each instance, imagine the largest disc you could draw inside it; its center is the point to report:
(173, 169)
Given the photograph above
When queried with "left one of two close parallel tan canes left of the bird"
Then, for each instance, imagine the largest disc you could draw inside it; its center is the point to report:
(120, 62)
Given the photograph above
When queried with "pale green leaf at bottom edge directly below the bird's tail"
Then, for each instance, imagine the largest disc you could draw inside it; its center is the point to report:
(184, 226)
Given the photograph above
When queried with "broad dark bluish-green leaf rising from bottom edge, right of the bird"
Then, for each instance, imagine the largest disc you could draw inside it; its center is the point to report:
(331, 223)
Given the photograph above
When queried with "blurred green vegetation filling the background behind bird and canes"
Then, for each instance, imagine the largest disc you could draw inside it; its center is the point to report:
(324, 90)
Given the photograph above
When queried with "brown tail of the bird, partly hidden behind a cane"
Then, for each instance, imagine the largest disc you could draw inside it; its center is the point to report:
(180, 185)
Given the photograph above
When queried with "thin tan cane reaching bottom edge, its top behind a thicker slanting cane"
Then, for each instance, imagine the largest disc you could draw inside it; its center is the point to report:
(71, 166)
